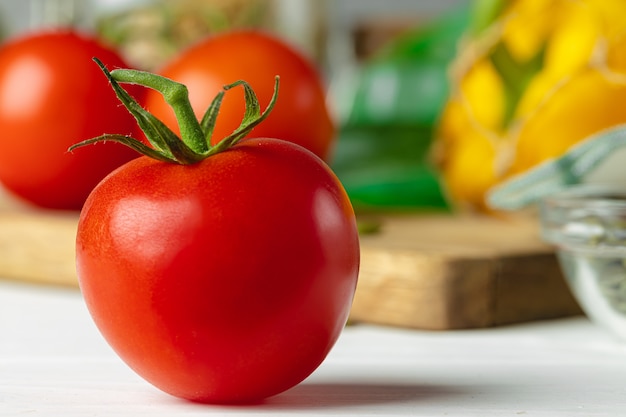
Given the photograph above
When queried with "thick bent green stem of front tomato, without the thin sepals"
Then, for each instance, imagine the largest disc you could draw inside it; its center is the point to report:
(177, 96)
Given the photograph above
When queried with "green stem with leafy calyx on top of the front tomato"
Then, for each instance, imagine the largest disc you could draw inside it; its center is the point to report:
(194, 143)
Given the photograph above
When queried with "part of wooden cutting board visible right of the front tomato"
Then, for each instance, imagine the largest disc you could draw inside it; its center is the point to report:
(457, 272)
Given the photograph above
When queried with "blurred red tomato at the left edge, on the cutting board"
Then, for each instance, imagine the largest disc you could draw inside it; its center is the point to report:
(52, 96)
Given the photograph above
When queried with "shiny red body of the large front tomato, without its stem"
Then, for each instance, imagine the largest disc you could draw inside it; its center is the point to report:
(227, 281)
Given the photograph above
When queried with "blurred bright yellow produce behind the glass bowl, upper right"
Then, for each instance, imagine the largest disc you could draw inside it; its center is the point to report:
(540, 78)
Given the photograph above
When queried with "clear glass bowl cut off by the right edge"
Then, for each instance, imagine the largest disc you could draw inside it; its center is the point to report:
(587, 224)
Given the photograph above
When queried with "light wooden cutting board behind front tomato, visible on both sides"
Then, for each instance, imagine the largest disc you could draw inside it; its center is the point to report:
(418, 271)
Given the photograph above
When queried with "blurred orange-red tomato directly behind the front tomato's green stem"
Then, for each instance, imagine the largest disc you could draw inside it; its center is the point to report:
(300, 116)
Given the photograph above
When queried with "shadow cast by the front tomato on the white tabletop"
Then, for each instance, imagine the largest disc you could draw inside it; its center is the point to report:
(333, 395)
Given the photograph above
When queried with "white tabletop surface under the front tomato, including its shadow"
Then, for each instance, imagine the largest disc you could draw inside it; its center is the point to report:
(53, 362)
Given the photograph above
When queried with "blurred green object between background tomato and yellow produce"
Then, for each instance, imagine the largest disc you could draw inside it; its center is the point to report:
(382, 154)
